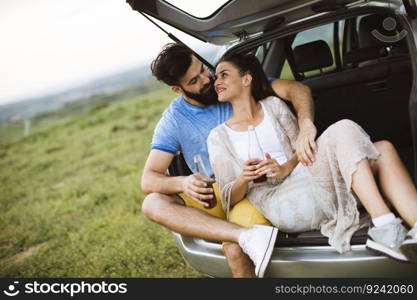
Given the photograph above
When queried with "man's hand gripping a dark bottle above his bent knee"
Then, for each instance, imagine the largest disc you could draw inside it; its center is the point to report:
(195, 187)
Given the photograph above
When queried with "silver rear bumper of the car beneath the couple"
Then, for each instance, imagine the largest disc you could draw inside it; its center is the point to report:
(313, 261)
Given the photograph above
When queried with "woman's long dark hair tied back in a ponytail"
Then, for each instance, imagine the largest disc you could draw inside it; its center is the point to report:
(248, 63)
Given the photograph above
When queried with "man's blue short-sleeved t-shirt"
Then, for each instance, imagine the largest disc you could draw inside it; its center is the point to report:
(185, 127)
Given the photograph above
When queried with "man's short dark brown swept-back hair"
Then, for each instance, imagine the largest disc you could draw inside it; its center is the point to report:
(172, 63)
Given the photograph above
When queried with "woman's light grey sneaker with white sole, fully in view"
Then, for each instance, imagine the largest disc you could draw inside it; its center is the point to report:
(387, 239)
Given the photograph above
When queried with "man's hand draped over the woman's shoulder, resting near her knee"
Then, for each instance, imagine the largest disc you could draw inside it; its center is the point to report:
(306, 146)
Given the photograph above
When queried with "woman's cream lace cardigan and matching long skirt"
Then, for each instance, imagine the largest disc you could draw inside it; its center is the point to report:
(312, 197)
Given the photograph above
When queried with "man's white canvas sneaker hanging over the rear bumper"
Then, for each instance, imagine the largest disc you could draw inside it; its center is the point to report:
(258, 242)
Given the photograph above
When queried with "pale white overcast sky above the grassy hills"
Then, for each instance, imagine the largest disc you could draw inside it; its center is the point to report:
(48, 45)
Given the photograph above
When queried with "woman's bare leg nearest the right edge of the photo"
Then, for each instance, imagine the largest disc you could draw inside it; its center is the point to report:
(395, 182)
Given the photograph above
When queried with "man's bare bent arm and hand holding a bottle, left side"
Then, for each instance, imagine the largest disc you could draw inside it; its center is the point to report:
(154, 179)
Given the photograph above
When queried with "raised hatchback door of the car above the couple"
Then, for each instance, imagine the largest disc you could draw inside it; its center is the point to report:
(236, 19)
